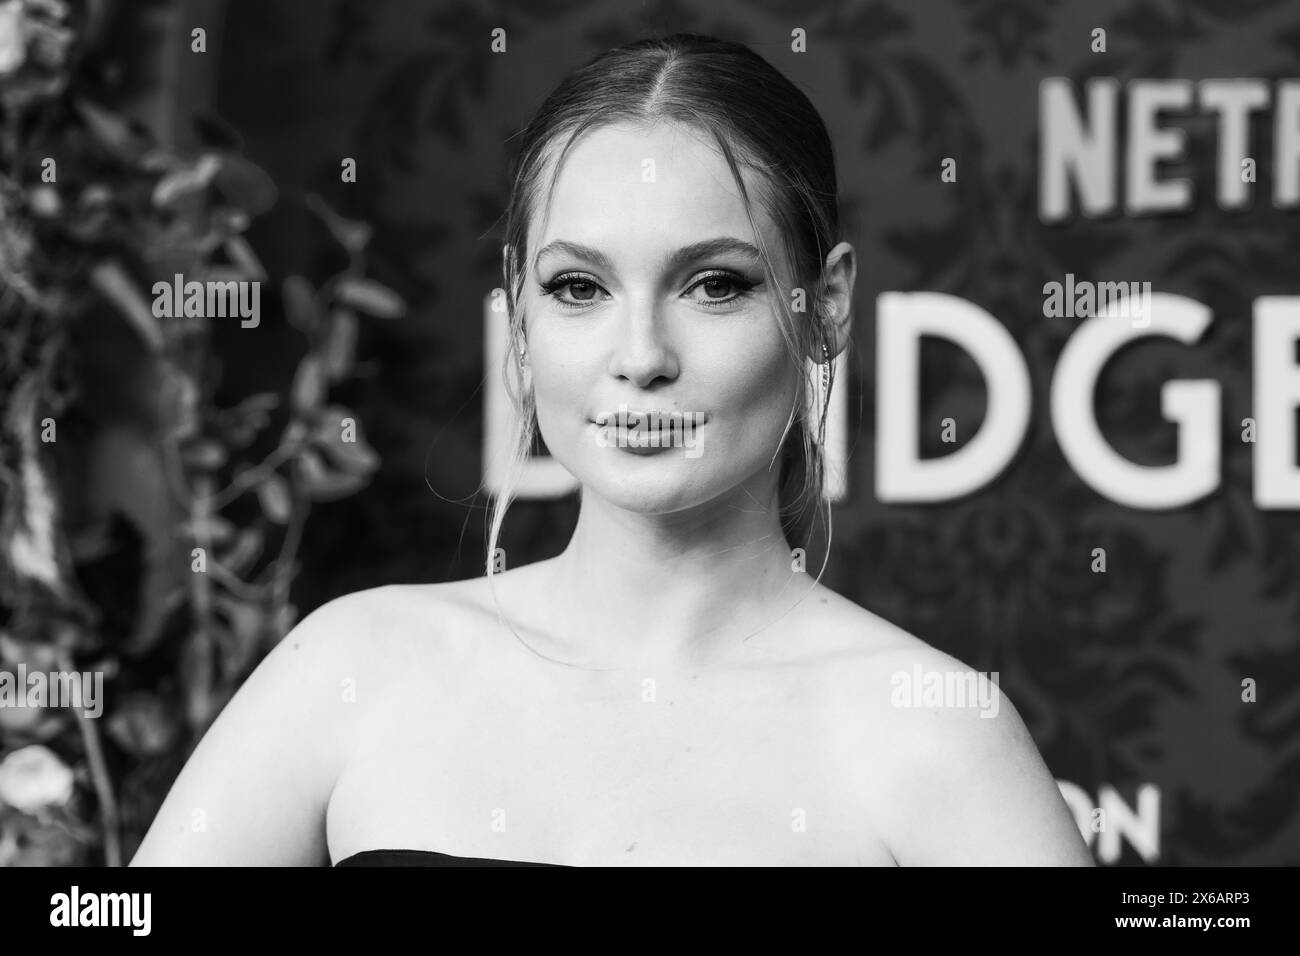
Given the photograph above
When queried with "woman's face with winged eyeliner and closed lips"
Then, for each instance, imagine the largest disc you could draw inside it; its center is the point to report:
(626, 309)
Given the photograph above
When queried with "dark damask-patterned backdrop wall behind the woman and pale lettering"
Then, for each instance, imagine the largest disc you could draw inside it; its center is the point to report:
(1128, 680)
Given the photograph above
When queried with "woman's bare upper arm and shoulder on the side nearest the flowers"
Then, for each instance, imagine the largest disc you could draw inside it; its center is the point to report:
(255, 789)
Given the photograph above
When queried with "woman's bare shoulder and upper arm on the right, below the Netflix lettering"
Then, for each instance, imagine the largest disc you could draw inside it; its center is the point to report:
(968, 782)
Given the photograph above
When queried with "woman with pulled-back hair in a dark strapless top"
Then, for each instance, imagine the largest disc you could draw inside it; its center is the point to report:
(673, 689)
